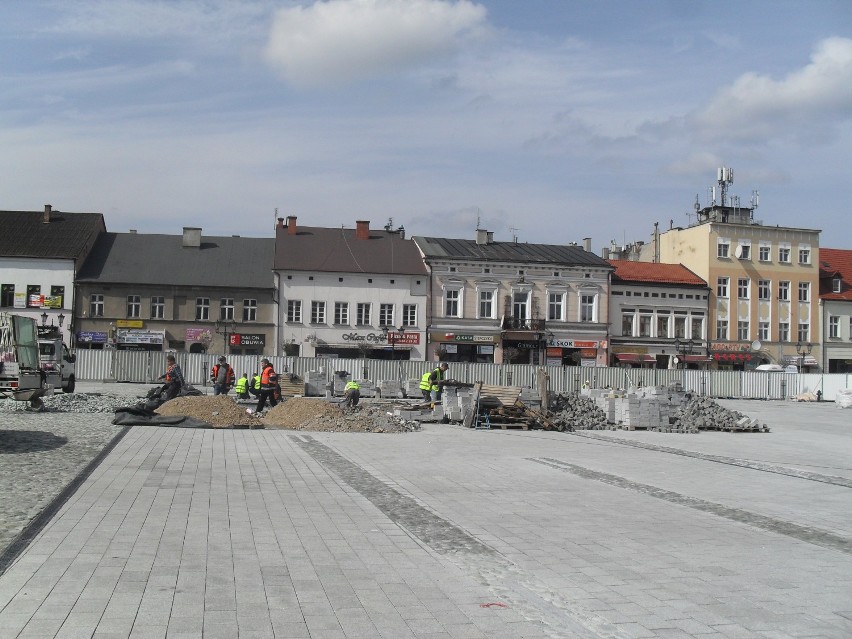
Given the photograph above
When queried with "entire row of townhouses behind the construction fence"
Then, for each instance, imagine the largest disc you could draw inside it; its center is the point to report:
(362, 292)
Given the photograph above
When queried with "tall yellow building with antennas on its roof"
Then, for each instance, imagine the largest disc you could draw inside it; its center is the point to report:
(764, 285)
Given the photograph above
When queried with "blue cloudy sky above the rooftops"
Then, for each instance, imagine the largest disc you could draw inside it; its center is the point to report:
(546, 120)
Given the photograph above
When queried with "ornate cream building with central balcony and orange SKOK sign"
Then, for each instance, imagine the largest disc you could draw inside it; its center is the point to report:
(511, 302)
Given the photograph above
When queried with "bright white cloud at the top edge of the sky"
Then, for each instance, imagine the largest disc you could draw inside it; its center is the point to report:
(339, 41)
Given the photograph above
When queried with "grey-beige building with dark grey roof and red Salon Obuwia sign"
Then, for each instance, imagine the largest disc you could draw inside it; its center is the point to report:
(183, 293)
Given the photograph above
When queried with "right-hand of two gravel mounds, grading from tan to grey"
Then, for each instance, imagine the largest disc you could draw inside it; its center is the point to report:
(302, 413)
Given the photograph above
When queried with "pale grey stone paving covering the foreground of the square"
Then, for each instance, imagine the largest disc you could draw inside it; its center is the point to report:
(450, 532)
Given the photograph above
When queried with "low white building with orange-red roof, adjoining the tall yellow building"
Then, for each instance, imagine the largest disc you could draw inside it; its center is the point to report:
(658, 316)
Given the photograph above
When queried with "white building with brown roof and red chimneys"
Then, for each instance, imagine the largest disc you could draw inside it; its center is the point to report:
(350, 293)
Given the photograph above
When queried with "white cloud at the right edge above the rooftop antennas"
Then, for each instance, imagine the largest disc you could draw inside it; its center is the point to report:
(807, 103)
